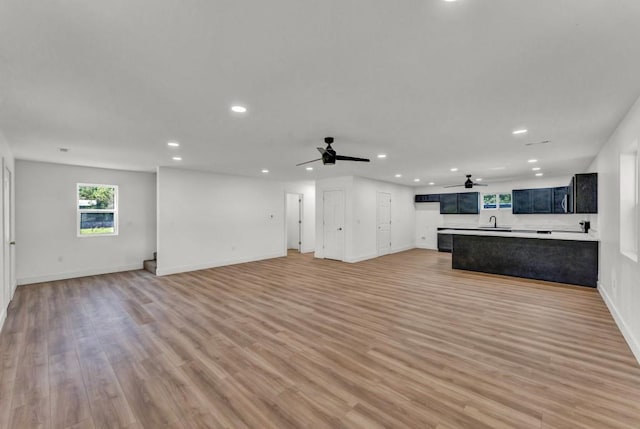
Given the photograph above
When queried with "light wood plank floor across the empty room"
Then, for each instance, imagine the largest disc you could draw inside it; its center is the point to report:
(397, 342)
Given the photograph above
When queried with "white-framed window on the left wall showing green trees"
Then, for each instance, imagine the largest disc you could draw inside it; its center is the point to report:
(97, 210)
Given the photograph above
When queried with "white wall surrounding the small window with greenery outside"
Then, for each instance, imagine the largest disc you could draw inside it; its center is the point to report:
(48, 247)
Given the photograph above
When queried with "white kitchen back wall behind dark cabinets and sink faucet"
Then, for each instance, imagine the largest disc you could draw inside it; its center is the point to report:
(428, 217)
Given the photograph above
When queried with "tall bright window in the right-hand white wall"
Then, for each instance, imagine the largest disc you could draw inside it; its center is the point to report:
(629, 202)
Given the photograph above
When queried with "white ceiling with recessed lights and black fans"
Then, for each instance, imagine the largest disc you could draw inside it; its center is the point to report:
(433, 84)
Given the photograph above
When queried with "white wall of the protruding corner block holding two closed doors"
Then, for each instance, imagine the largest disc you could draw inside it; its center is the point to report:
(361, 216)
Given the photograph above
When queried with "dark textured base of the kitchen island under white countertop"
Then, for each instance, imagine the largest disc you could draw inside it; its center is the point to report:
(563, 261)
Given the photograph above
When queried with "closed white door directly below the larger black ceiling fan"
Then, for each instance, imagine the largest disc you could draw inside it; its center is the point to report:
(333, 224)
